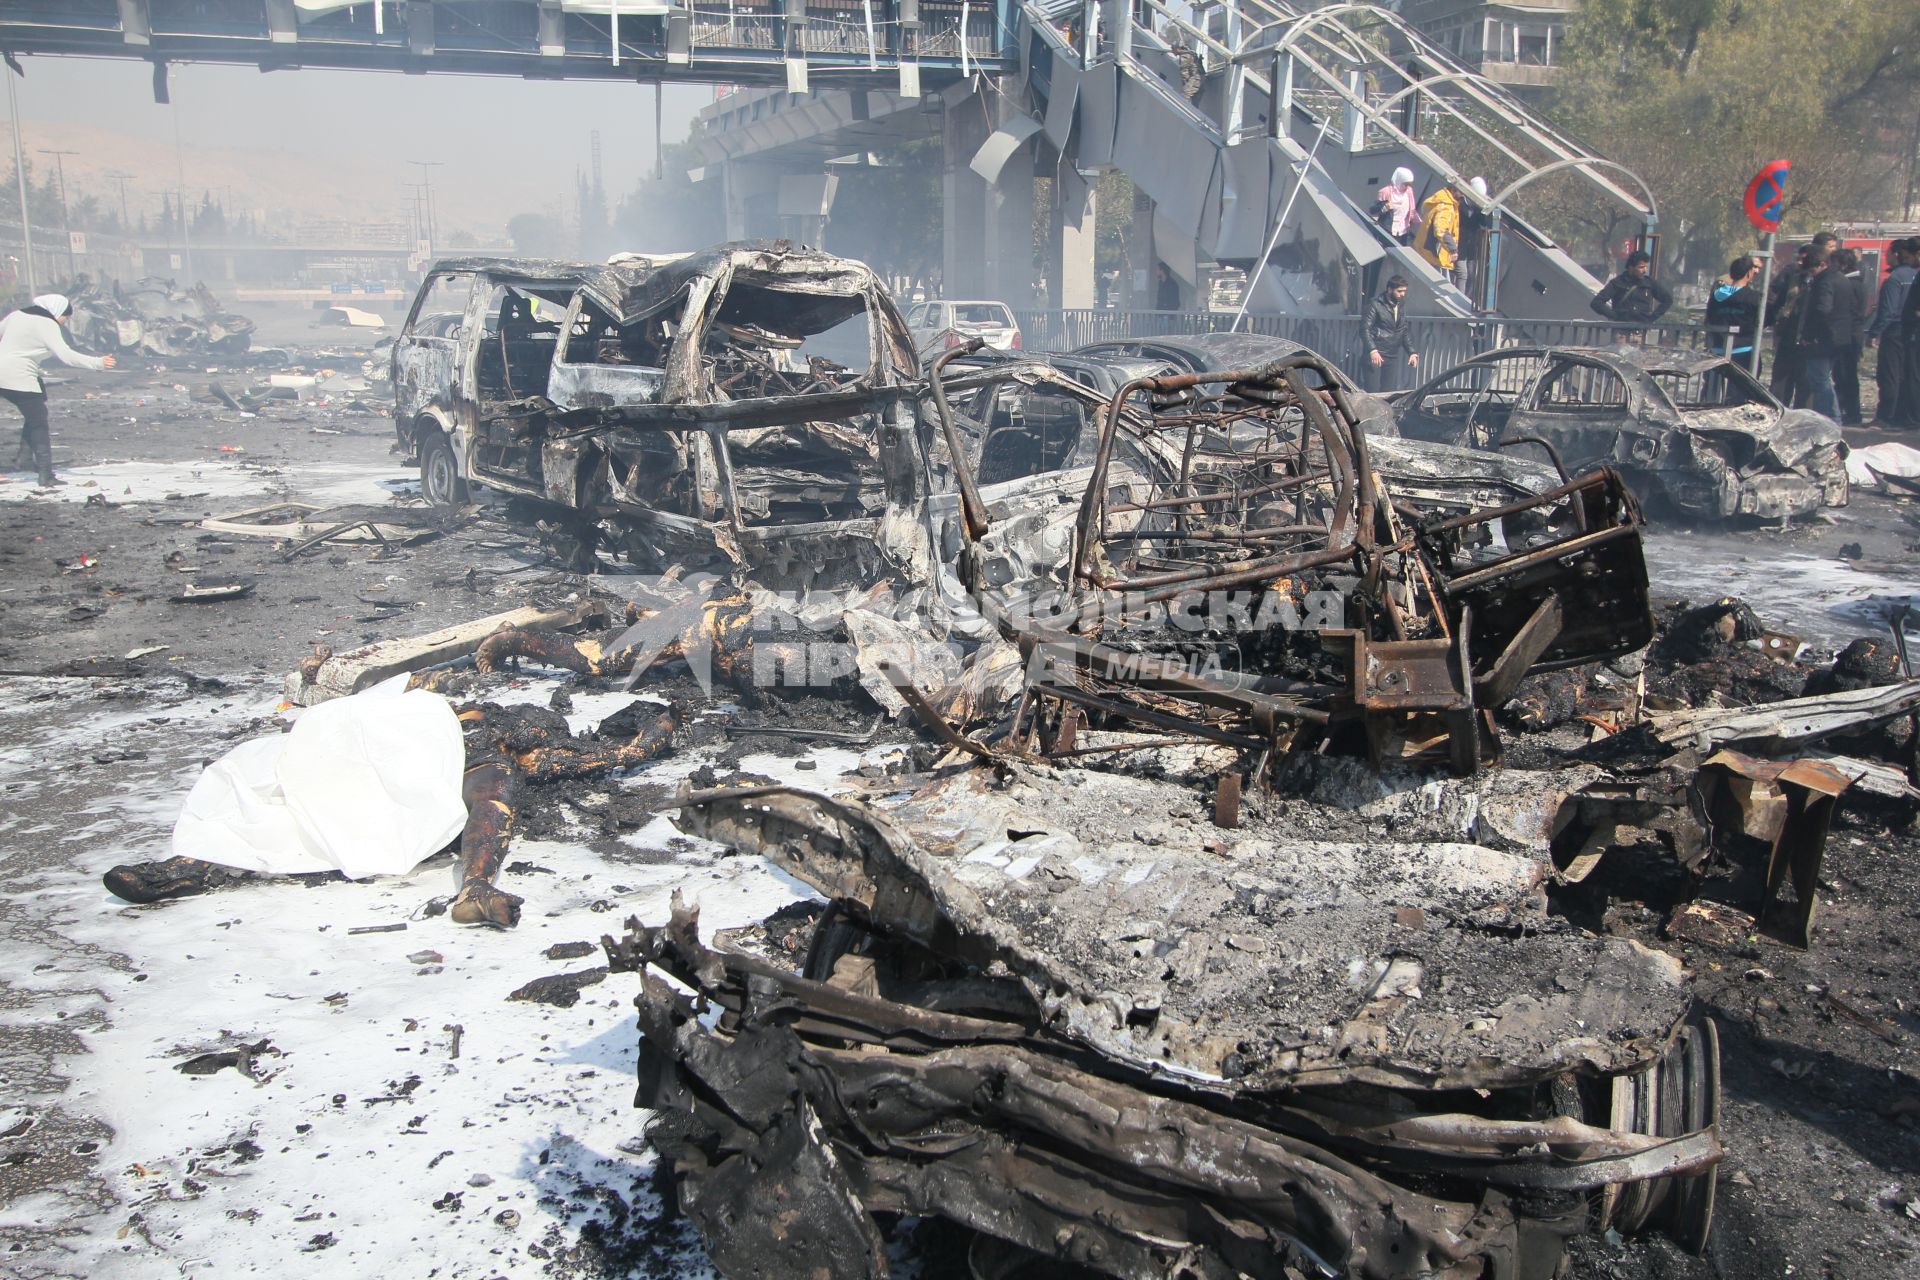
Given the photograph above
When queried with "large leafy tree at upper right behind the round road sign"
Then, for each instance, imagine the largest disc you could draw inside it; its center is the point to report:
(1698, 95)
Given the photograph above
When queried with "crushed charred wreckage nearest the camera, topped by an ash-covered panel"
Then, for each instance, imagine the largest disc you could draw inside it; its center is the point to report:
(1065, 1039)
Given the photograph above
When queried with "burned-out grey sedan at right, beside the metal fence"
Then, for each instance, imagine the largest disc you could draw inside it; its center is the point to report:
(1689, 431)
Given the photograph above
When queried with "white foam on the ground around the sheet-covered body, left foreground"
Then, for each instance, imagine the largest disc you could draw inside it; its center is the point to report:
(360, 1147)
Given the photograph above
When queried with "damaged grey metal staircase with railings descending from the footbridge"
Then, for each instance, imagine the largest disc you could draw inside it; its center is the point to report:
(1299, 118)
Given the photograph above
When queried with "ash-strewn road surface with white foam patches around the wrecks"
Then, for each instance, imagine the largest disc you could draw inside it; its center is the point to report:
(375, 1102)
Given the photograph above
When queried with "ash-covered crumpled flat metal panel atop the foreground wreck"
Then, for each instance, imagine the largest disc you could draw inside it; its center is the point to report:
(1297, 962)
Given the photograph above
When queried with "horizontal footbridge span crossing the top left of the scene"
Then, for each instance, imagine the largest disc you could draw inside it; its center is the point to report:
(894, 43)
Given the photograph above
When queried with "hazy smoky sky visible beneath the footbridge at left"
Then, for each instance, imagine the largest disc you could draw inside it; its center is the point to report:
(506, 145)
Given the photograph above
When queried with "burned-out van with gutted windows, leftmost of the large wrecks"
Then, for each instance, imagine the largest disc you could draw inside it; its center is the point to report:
(752, 402)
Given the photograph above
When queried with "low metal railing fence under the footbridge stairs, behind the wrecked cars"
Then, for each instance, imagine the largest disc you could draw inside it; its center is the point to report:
(1441, 341)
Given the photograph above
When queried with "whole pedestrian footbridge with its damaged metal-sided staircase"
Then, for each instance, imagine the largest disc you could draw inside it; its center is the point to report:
(1255, 131)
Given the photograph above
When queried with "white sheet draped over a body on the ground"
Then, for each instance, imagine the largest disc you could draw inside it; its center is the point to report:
(364, 786)
